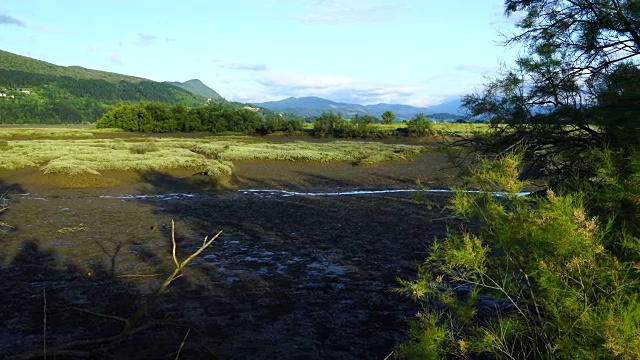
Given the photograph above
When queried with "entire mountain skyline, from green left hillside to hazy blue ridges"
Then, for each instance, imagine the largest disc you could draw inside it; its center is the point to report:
(35, 91)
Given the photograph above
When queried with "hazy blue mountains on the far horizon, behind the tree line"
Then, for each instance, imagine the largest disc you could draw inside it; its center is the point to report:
(315, 106)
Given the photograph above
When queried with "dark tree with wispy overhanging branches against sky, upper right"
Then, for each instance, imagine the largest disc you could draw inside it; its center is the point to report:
(552, 102)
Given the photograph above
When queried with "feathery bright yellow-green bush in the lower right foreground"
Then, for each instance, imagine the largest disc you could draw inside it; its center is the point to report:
(537, 281)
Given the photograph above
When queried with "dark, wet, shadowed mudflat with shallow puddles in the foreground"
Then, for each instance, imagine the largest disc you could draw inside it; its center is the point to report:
(290, 277)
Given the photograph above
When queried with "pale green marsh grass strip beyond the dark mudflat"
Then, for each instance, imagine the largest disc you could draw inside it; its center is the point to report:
(210, 156)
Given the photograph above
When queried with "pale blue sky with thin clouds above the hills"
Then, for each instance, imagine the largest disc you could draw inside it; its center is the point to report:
(415, 52)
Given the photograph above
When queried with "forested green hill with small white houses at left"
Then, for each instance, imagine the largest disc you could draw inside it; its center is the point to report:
(40, 92)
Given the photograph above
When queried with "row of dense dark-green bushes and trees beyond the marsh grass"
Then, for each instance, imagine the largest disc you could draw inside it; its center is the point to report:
(222, 117)
